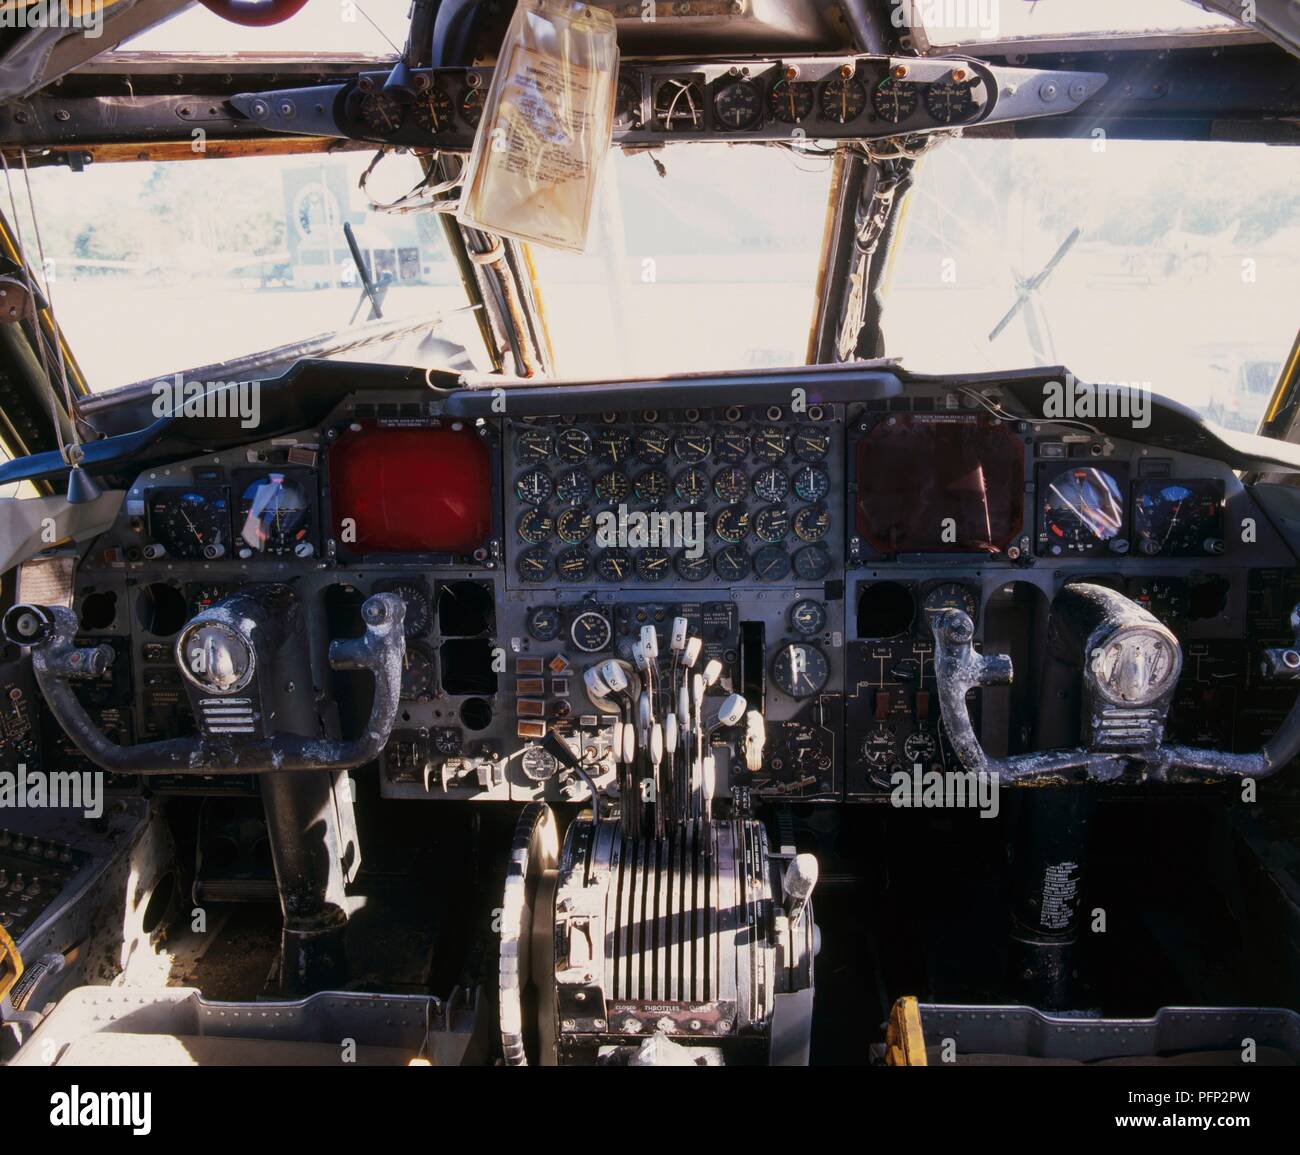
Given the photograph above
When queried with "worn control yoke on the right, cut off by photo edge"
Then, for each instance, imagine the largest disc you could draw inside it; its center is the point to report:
(1130, 665)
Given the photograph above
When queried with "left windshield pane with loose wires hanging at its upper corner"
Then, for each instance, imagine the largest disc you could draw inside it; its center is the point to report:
(157, 269)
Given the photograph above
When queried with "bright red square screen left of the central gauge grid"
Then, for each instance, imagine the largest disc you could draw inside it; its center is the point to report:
(410, 491)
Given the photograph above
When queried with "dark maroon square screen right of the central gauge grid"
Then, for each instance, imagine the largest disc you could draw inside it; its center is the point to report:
(941, 483)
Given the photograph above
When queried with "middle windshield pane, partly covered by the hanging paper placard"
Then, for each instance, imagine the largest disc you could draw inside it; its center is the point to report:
(712, 265)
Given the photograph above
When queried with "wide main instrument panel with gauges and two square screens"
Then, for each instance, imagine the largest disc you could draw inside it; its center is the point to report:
(803, 547)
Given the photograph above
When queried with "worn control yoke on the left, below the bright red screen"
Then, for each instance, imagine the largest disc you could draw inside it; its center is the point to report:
(235, 642)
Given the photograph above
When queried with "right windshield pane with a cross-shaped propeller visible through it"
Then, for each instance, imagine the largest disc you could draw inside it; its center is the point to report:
(1173, 266)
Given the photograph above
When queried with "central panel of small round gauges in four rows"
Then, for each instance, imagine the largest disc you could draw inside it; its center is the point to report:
(717, 498)
